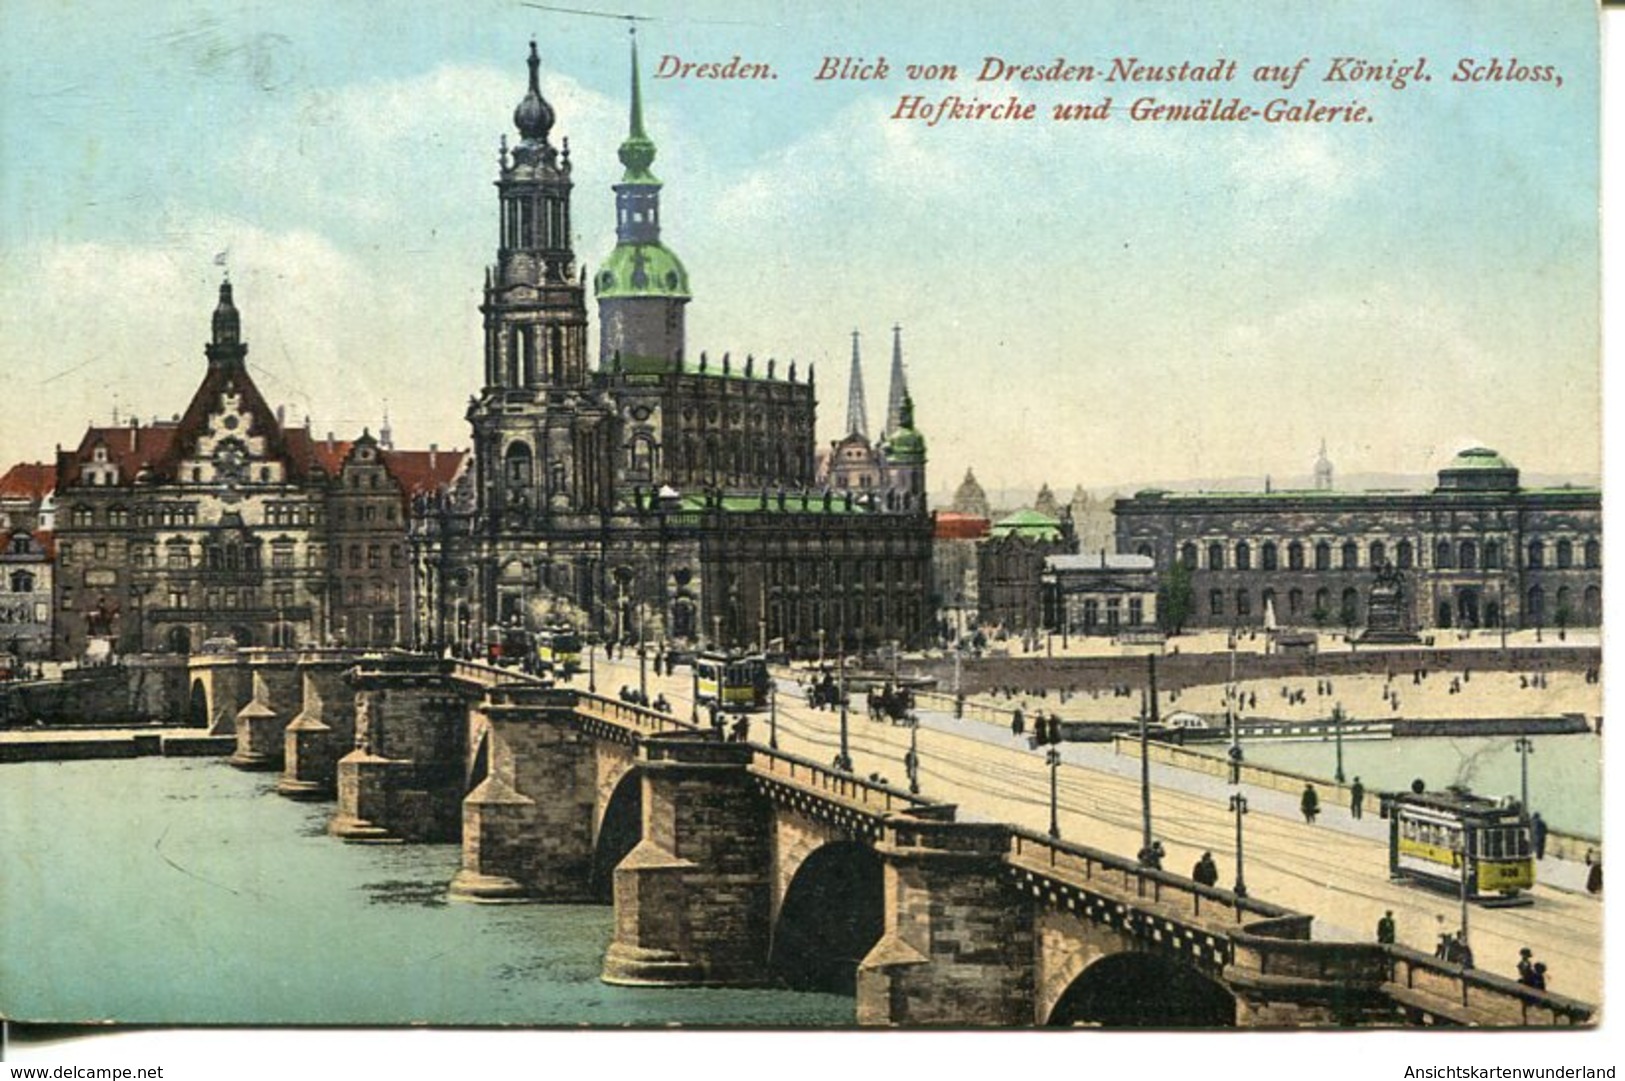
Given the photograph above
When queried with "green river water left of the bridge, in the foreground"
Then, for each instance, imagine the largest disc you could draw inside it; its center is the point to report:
(186, 892)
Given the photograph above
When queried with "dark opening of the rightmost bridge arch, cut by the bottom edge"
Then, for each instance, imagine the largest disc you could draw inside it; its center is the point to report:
(1140, 989)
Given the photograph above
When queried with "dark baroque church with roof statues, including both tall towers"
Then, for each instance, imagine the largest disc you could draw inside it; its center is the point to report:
(651, 497)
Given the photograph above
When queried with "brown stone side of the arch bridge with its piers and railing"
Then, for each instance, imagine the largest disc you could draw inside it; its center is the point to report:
(734, 864)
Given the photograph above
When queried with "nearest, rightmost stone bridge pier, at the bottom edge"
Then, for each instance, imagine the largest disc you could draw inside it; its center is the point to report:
(960, 940)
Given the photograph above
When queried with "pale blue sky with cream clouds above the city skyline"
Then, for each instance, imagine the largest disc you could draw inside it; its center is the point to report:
(1090, 303)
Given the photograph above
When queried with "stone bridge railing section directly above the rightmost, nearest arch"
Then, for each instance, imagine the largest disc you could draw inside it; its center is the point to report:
(1166, 888)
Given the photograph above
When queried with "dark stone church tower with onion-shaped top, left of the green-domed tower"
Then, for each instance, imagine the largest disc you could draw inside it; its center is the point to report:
(534, 305)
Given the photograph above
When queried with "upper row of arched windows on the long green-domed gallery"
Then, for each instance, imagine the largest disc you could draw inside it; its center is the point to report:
(1465, 555)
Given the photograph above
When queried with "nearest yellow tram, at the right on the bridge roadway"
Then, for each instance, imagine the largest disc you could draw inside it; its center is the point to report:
(1431, 833)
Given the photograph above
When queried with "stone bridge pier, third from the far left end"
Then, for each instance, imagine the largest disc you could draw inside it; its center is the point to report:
(405, 778)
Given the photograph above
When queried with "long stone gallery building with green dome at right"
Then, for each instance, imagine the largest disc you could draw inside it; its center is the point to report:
(1476, 552)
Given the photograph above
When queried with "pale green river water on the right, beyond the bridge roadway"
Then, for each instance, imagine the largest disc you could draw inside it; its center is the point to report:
(1566, 771)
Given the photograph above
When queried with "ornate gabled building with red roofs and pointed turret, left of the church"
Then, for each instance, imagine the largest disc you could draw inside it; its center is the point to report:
(222, 526)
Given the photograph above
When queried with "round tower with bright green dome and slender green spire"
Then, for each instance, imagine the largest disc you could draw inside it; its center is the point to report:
(643, 289)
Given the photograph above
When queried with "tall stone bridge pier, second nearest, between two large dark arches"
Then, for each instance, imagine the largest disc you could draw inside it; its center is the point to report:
(693, 900)
